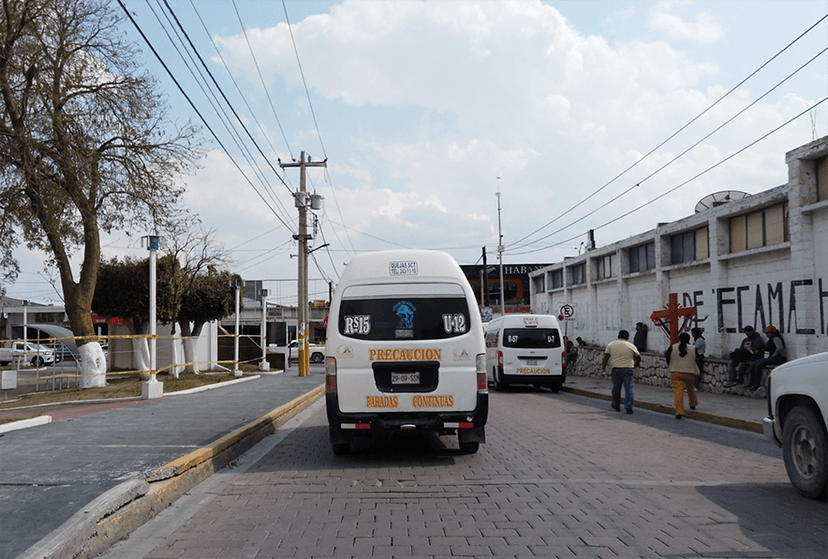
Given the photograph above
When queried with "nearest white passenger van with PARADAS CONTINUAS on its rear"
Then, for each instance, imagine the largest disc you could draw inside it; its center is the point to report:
(405, 350)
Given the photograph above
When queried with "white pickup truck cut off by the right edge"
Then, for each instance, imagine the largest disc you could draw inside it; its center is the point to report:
(796, 421)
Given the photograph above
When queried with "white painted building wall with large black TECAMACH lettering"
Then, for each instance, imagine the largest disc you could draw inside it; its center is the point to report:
(785, 285)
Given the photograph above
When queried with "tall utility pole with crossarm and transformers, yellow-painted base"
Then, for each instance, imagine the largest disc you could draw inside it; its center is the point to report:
(302, 203)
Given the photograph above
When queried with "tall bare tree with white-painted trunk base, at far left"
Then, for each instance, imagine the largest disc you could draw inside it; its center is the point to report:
(85, 145)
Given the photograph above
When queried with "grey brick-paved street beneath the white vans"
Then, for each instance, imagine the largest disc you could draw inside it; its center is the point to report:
(560, 476)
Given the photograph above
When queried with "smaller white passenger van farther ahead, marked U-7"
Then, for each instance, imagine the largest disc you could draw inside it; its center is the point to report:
(524, 349)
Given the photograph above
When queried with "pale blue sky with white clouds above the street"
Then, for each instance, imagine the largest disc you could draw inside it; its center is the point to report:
(609, 116)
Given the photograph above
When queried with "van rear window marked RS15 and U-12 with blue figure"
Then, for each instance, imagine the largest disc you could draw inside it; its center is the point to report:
(404, 318)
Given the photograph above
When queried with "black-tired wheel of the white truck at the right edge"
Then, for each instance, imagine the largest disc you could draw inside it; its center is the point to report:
(805, 453)
